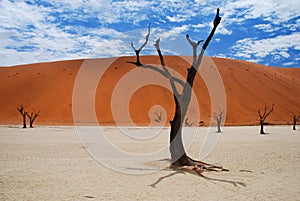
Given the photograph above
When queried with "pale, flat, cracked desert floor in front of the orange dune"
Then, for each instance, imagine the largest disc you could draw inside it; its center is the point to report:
(51, 163)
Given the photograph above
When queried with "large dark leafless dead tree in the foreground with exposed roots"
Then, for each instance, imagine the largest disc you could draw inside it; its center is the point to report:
(179, 157)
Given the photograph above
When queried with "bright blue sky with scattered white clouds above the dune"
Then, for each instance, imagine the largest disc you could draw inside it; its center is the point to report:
(265, 32)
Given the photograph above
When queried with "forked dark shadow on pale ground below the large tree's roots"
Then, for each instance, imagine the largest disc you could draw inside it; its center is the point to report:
(197, 173)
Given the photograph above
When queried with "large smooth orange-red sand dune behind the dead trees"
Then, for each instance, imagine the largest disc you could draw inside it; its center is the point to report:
(49, 87)
